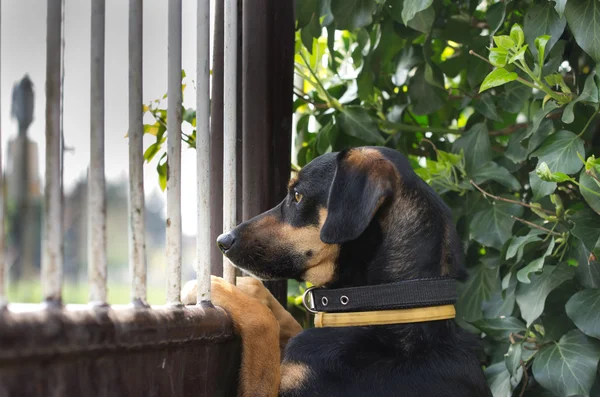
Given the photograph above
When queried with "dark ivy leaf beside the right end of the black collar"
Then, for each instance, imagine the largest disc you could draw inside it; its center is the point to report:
(482, 283)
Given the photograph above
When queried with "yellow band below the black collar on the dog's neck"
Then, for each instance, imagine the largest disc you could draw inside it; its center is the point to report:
(385, 317)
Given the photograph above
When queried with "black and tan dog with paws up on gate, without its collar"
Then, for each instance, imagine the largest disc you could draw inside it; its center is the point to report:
(354, 218)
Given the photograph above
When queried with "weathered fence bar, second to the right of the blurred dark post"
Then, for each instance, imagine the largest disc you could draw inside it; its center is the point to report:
(97, 193)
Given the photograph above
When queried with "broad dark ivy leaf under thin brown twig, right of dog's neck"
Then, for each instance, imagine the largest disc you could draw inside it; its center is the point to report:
(492, 225)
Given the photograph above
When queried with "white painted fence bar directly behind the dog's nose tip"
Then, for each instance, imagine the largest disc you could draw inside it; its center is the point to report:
(230, 126)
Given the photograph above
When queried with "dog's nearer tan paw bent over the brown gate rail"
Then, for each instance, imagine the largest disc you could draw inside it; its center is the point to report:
(249, 315)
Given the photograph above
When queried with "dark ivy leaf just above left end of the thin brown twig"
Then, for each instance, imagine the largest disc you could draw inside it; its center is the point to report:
(476, 142)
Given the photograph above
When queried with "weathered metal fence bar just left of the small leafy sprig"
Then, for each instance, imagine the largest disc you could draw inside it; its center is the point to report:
(137, 240)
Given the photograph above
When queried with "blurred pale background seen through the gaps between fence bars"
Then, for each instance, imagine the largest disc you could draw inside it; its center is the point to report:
(23, 54)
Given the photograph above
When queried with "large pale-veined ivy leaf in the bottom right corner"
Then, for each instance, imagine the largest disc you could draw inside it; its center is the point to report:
(568, 367)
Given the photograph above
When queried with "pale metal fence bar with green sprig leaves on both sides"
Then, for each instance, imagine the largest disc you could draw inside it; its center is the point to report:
(174, 154)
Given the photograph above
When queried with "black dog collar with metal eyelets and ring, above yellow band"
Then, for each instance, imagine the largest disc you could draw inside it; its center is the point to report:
(399, 295)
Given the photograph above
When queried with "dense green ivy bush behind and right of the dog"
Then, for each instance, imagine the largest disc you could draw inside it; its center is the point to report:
(494, 103)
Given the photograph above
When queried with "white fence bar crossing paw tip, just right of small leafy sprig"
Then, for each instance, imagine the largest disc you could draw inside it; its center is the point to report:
(203, 152)
